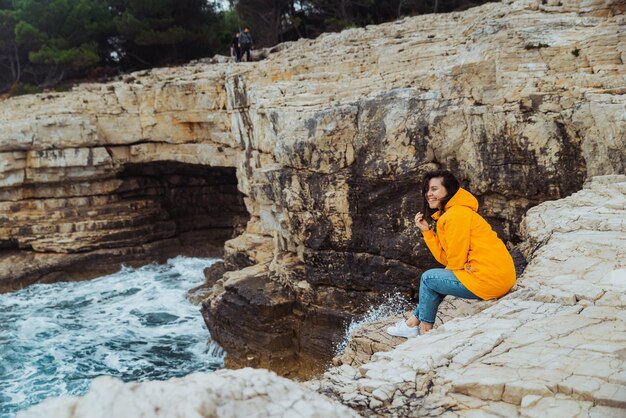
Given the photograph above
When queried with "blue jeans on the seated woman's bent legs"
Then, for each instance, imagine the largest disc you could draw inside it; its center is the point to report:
(435, 285)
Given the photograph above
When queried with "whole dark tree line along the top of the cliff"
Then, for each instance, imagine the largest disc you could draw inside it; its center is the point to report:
(45, 43)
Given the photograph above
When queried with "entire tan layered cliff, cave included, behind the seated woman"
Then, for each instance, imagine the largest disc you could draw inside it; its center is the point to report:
(317, 152)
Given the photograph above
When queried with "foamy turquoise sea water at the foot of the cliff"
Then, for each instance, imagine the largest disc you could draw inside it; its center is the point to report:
(135, 324)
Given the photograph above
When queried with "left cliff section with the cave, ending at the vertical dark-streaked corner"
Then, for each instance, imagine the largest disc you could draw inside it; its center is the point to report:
(113, 174)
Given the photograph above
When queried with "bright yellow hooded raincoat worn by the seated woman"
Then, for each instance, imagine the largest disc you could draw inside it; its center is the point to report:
(466, 244)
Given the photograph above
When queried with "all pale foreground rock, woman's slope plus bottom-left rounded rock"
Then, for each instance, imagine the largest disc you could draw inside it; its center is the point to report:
(555, 346)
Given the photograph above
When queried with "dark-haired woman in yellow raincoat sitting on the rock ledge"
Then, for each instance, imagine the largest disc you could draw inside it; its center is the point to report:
(478, 264)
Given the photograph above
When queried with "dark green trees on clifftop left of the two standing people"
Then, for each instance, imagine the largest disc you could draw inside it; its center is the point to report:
(43, 42)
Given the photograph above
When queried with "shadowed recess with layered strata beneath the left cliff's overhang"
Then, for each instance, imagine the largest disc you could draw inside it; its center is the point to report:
(150, 212)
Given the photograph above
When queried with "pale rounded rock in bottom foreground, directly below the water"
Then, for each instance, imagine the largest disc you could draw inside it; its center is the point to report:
(224, 393)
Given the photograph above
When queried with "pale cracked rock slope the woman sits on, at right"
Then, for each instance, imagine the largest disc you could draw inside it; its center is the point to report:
(554, 347)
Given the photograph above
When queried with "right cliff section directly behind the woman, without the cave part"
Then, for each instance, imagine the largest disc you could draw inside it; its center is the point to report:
(353, 125)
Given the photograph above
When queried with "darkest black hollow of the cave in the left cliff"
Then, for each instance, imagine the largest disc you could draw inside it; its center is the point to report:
(198, 205)
